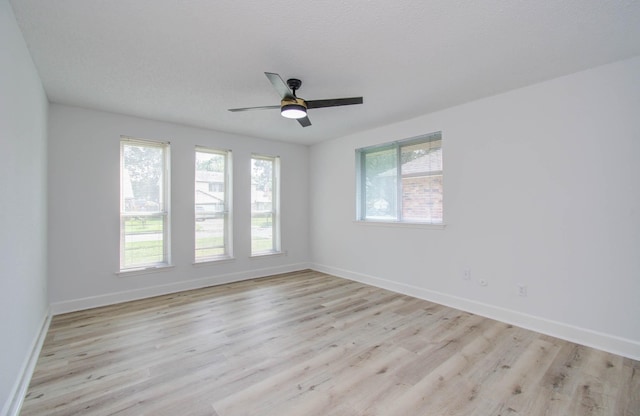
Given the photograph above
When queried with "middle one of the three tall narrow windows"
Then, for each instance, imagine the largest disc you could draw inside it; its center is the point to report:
(212, 205)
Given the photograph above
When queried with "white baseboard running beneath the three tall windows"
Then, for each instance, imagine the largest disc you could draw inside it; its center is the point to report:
(58, 308)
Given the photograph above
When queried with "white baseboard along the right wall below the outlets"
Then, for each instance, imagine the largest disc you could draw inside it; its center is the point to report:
(602, 341)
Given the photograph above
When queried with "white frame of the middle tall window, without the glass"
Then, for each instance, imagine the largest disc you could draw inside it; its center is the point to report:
(226, 214)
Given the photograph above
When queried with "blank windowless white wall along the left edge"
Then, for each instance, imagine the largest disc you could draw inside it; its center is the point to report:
(23, 217)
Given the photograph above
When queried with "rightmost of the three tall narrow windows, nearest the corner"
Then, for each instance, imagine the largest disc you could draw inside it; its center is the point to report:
(265, 205)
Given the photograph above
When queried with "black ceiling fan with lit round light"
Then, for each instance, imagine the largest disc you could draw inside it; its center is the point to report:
(296, 108)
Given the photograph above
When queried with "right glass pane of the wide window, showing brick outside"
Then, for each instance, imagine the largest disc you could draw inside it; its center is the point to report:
(421, 171)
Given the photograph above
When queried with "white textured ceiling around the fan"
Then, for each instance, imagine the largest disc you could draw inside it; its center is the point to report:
(189, 61)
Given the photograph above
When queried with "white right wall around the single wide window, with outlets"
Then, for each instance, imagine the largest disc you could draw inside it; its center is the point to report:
(542, 188)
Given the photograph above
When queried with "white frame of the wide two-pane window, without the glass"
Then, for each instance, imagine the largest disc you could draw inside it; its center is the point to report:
(361, 214)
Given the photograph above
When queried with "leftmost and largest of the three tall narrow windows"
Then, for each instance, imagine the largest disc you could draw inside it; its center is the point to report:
(144, 204)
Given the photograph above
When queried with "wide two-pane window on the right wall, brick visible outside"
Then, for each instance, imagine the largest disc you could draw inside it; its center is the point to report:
(401, 181)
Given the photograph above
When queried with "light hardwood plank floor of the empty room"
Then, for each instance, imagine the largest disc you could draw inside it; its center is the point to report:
(306, 344)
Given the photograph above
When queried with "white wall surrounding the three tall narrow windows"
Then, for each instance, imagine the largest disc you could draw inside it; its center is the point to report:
(84, 191)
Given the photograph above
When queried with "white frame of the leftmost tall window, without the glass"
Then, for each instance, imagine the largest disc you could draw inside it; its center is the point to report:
(164, 213)
